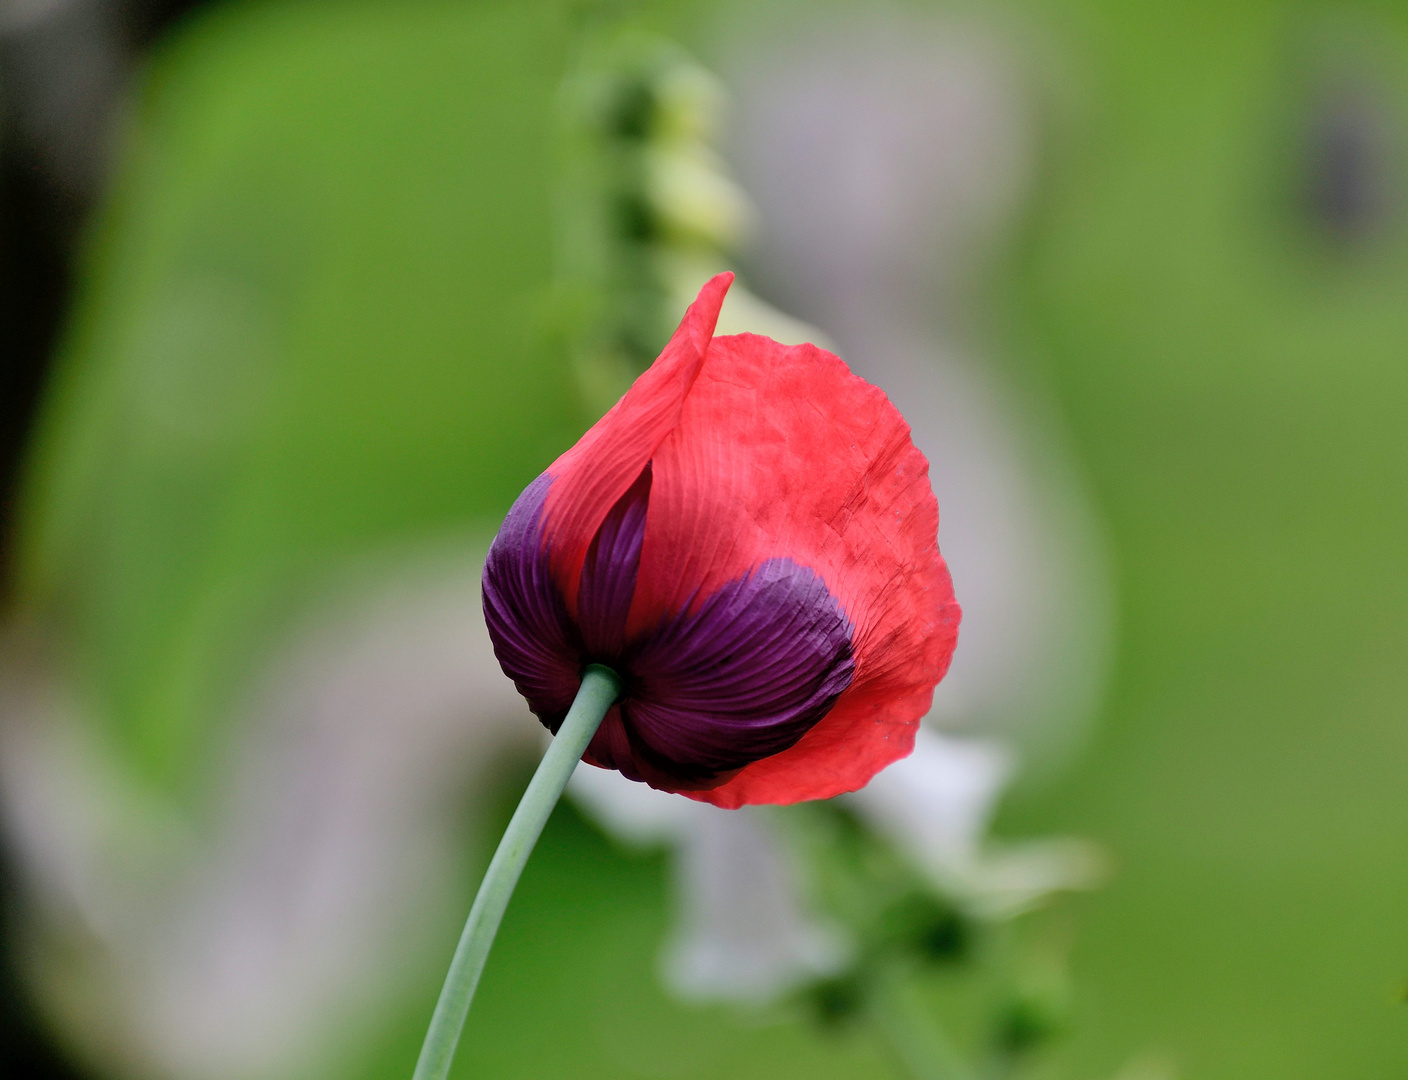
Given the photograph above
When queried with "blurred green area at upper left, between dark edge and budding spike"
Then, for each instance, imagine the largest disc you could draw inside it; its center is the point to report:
(313, 332)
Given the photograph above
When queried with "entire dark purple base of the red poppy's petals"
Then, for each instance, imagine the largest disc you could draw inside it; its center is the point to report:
(740, 679)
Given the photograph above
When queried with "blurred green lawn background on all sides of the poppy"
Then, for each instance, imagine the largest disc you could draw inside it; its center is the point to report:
(358, 199)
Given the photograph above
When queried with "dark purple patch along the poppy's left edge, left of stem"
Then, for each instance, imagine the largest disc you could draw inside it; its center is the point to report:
(534, 639)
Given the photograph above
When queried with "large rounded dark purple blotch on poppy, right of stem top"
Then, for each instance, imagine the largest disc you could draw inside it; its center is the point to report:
(741, 679)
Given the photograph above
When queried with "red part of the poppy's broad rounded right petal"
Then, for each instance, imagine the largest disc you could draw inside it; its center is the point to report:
(782, 451)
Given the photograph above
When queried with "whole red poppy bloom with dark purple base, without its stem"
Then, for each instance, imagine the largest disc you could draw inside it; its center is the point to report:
(750, 540)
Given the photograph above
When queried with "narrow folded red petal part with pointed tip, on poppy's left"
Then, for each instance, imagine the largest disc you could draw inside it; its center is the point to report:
(595, 474)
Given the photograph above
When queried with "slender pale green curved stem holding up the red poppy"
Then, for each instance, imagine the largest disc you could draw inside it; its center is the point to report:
(601, 688)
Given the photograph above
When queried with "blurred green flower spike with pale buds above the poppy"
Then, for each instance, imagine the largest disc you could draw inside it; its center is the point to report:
(647, 208)
